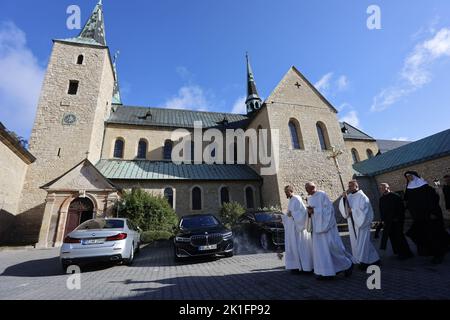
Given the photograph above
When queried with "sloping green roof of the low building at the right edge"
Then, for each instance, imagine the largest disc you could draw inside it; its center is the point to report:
(432, 147)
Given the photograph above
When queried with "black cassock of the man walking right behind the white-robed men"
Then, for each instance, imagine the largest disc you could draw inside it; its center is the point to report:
(393, 216)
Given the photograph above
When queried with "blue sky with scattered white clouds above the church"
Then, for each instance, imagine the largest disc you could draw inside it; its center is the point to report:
(393, 83)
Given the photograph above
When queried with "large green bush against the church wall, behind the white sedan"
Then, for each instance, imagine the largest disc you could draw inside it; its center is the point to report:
(148, 211)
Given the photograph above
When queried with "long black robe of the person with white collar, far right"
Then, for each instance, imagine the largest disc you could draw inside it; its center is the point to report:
(428, 231)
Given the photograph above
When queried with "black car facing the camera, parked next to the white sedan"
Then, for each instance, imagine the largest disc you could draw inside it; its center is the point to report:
(202, 235)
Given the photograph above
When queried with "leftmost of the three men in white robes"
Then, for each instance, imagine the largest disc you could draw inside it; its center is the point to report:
(298, 240)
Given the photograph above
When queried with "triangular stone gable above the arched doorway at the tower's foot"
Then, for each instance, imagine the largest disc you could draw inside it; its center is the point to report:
(82, 176)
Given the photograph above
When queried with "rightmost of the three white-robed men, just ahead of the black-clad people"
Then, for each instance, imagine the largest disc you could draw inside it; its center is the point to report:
(359, 214)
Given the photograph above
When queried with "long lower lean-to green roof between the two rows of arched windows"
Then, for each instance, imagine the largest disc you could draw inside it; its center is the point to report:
(155, 170)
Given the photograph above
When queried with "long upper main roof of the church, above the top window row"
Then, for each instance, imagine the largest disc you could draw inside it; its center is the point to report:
(175, 118)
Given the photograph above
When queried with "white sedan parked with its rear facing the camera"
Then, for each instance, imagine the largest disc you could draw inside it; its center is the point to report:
(97, 240)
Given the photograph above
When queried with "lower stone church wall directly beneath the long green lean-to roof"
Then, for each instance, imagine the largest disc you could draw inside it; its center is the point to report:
(183, 193)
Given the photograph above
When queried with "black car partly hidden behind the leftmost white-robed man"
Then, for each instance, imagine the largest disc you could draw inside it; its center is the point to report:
(263, 229)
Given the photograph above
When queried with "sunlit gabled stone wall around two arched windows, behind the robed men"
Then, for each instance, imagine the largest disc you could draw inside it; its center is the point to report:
(305, 106)
